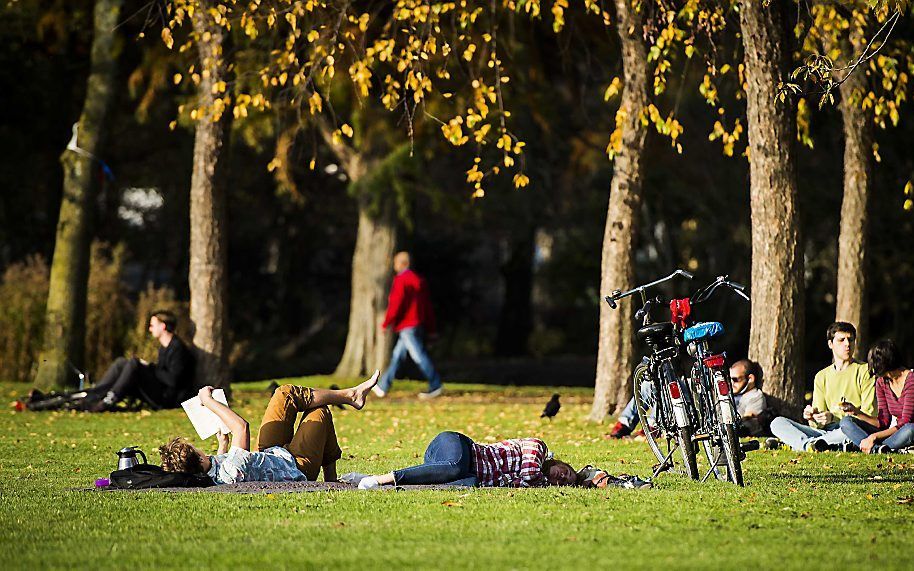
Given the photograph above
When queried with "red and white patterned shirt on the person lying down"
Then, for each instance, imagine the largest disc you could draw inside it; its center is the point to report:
(516, 463)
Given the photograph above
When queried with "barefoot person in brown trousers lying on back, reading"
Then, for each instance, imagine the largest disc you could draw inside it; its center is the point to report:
(283, 453)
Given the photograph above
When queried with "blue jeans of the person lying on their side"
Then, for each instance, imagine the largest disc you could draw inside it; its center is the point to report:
(448, 460)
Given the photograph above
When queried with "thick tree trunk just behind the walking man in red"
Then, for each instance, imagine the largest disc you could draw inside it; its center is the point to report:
(367, 345)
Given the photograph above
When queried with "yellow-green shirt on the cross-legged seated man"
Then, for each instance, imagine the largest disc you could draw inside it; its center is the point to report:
(854, 383)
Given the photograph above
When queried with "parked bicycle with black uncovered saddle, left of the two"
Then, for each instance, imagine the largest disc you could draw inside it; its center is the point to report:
(662, 401)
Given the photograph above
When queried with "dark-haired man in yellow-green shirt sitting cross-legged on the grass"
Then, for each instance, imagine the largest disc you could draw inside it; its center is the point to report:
(846, 379)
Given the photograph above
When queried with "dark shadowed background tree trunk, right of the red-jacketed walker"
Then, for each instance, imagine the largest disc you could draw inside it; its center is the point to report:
(516, 319)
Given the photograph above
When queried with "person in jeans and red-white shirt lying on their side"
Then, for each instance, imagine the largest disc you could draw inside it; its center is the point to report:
(453, 458)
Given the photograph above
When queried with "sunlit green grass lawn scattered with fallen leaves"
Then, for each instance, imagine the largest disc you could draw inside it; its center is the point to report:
(822, 511)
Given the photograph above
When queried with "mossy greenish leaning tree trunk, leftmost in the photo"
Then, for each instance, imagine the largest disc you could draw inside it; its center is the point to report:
(65, 327)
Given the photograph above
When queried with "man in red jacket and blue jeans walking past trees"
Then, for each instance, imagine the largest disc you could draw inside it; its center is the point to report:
(410, 314)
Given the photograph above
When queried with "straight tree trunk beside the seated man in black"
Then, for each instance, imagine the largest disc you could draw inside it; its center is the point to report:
(207, 278)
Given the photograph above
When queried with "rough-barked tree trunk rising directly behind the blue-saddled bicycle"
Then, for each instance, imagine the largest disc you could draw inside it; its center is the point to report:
(776, 336)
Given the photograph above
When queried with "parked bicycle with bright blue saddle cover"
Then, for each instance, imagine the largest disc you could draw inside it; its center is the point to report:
(716, 418)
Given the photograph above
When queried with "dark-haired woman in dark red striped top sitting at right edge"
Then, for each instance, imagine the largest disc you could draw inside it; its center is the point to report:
(892, 426)
